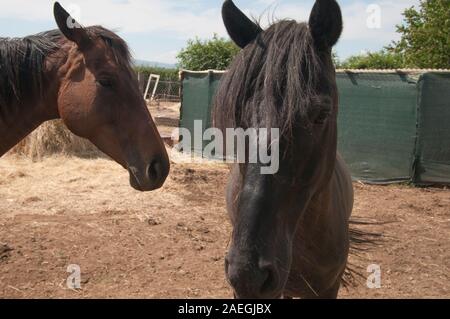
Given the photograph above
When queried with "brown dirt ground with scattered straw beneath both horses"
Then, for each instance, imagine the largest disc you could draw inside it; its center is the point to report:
(171, 243)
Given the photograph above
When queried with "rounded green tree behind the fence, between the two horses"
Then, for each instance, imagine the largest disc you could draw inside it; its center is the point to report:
(216, 53)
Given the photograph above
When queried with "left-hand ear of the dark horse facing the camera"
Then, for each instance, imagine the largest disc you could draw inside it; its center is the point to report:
(240, 28)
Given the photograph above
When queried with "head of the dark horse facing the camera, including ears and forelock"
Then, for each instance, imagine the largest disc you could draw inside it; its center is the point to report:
(283, 78)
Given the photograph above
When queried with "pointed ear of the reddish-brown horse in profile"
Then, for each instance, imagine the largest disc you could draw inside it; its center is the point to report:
(71, 29)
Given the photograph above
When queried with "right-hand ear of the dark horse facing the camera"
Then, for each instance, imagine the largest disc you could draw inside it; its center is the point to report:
(325, 23)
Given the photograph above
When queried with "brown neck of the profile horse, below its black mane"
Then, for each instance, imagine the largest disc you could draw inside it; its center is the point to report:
(19, 120)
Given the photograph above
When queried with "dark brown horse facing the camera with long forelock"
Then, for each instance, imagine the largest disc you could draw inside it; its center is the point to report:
(290, 229)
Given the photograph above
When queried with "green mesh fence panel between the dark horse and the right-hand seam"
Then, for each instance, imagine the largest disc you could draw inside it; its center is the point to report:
(377, 125)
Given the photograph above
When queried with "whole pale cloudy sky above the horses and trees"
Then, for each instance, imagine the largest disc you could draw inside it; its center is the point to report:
(187, 19)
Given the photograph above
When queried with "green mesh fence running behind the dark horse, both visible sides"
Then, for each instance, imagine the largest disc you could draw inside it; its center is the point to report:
(393, 127)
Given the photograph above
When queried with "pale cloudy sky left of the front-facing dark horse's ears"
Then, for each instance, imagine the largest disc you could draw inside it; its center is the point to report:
(127, 16)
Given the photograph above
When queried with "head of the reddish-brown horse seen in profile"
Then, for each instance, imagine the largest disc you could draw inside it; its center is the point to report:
(99, 99)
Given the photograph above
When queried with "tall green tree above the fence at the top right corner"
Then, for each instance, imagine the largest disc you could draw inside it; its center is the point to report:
(425, 41)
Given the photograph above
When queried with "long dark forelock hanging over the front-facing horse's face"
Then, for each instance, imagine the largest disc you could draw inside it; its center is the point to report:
(272, 82)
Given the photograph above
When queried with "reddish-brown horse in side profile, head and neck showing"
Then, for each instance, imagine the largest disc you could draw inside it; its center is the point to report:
(83, 76)
